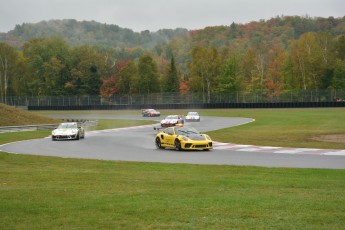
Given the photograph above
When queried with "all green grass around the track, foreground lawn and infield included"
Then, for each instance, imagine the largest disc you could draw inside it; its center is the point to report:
(56, 193)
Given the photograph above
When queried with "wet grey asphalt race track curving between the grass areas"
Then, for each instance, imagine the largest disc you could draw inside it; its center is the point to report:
(137, 144)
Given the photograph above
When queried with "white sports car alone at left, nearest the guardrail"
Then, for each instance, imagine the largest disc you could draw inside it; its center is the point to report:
(68, 131)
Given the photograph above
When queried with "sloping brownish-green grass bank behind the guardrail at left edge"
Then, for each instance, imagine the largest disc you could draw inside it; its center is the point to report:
(11, 116)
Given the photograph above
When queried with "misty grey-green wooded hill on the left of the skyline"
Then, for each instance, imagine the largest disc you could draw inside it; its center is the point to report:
(77, 33)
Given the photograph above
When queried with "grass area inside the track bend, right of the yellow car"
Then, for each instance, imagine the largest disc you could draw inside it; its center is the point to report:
(284, 127)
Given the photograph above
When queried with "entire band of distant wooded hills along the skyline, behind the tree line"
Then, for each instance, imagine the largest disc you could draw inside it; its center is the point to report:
(281, 30)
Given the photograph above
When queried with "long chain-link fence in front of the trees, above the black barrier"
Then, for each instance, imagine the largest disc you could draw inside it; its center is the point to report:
(178, 98)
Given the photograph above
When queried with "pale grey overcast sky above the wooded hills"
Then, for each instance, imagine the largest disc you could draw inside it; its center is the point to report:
(153, 15)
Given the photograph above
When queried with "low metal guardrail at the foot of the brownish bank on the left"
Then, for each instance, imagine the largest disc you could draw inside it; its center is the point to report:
(7, 129)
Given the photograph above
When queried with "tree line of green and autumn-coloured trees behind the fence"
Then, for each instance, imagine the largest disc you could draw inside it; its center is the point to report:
(199, 62)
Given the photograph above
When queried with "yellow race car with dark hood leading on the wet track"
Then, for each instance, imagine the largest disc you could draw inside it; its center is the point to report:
(182, 138)
